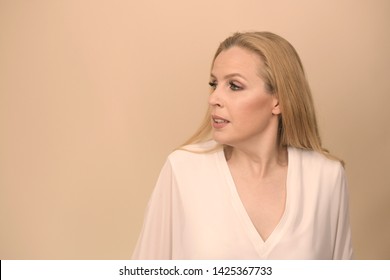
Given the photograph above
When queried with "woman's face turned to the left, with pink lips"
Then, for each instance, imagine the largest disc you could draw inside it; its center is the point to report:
(242, 111)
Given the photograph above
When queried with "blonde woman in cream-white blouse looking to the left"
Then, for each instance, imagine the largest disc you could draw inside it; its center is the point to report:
(254, 181)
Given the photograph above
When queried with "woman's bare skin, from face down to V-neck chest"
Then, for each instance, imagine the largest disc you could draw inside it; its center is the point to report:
(257, 164)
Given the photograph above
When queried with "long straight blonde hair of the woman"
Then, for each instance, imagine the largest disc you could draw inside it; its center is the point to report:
(283, 74)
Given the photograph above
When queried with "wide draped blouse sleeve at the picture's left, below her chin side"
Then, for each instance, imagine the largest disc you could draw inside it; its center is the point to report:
(155, 238)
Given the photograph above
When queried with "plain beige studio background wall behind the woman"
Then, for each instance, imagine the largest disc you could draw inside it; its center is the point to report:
(95, 94)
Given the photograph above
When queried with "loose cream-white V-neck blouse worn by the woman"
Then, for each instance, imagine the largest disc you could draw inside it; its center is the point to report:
(195, 212)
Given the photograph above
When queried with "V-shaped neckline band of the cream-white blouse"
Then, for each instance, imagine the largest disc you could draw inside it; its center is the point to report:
(260, 245)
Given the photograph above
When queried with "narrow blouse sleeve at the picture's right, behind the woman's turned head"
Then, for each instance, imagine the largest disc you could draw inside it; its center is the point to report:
(343, 241)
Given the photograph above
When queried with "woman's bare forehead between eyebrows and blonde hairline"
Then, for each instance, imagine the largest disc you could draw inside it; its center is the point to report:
(237, 59)
